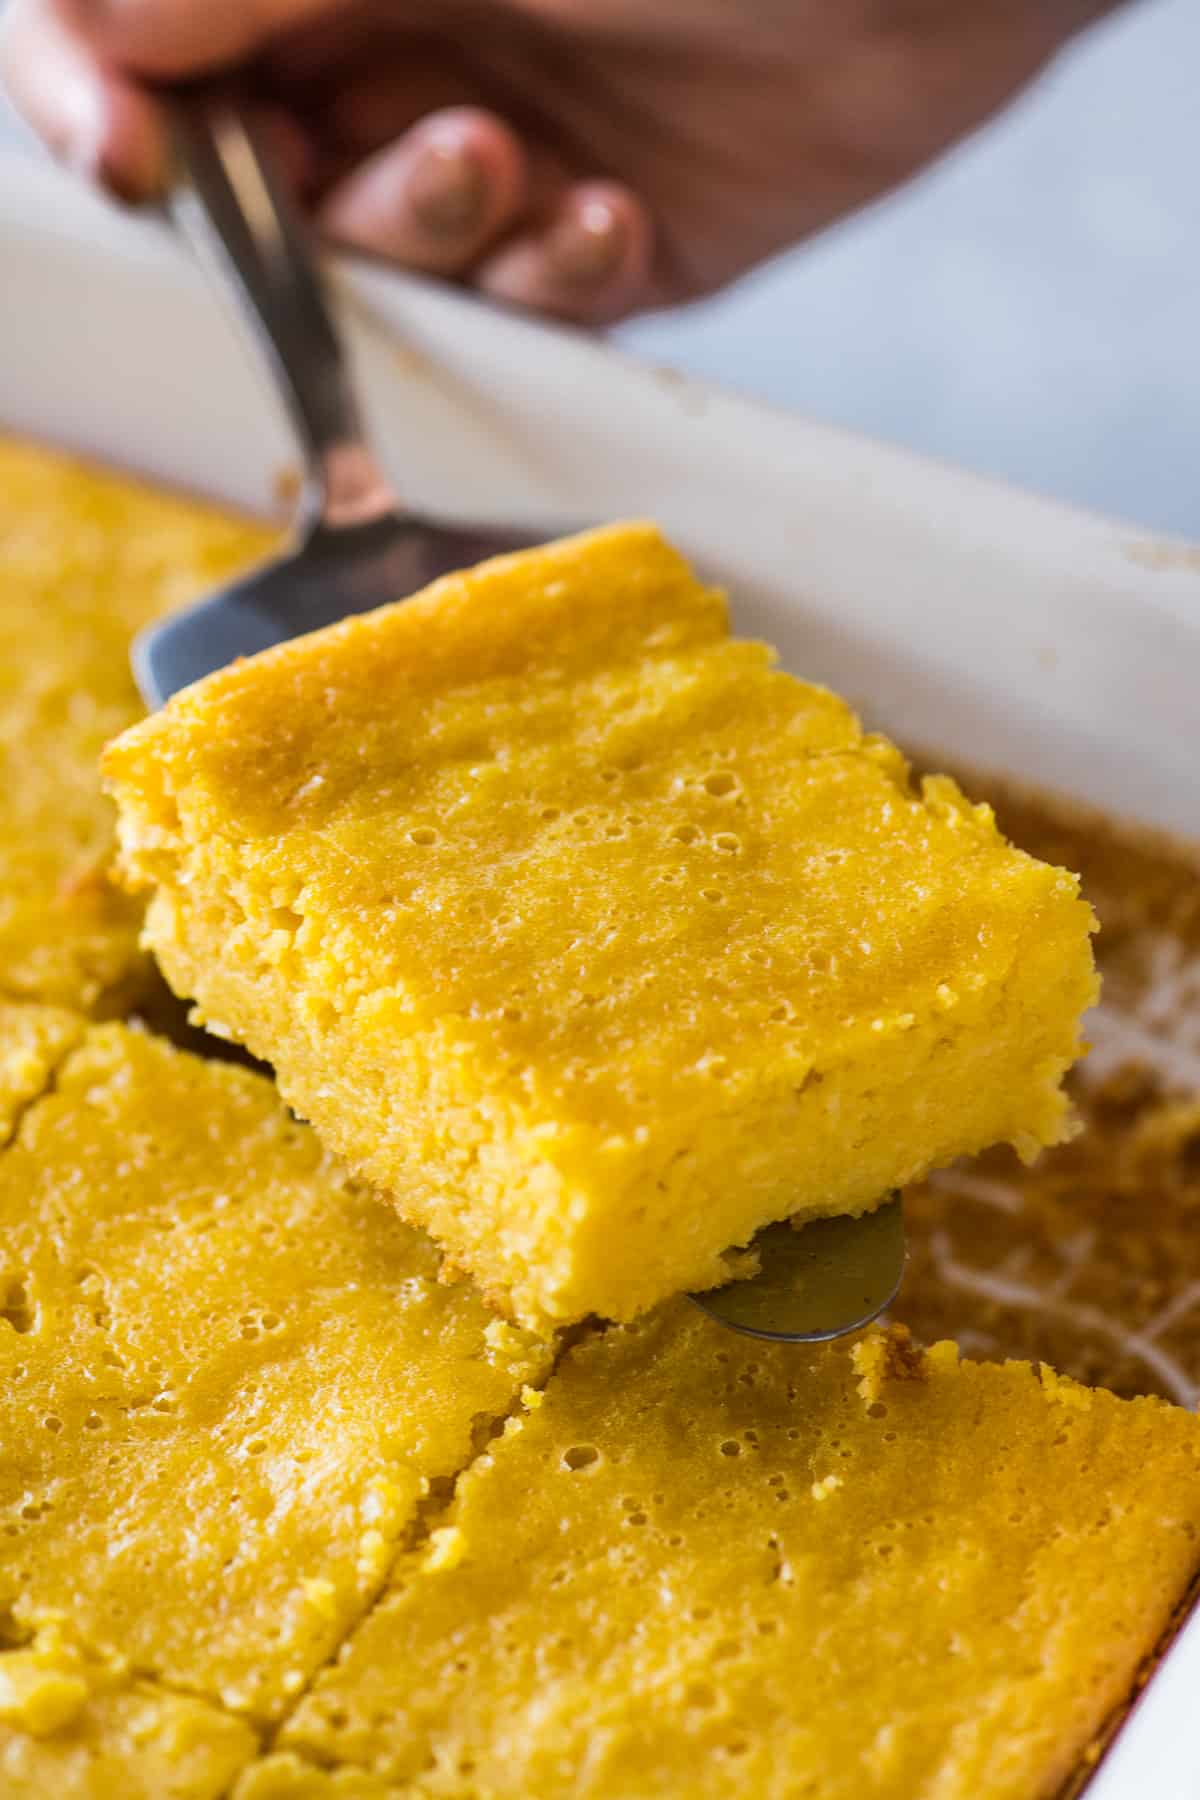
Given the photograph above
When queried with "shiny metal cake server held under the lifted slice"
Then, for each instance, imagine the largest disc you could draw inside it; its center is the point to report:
(359, 548)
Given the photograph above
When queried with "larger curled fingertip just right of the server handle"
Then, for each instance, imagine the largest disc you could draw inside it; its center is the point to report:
(436, 197)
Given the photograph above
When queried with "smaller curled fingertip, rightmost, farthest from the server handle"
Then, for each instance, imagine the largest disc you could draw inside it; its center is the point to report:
(591, 262)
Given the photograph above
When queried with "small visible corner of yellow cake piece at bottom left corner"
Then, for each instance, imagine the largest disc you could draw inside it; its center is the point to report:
(73, 1729)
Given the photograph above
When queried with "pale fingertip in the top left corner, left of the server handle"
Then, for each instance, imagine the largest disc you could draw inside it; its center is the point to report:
(91, 118)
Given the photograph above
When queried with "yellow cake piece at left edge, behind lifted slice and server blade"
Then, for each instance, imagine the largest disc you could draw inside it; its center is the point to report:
(85, 561)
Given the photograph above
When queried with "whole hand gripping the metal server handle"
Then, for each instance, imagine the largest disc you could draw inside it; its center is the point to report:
(580, 157)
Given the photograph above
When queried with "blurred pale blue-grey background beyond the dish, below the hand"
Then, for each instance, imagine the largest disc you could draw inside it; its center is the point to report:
(1030, 309)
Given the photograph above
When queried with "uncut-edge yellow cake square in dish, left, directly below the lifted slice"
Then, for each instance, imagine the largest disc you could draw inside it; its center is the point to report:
(229, 1380)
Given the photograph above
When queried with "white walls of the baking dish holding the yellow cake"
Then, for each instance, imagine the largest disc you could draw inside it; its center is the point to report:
(1005, 631)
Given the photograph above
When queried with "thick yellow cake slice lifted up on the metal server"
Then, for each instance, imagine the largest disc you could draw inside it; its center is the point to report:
(587, 935)
